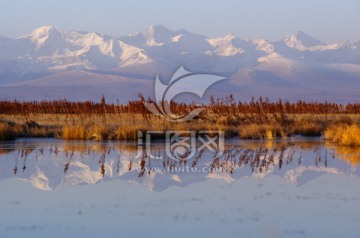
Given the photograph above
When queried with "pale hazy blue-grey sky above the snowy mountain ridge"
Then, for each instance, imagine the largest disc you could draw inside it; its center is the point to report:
(327, 20)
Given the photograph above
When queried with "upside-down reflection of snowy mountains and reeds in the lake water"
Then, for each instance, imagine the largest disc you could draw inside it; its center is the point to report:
(50, 164)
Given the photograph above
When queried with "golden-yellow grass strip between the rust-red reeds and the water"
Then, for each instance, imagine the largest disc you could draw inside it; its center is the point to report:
(125, 126)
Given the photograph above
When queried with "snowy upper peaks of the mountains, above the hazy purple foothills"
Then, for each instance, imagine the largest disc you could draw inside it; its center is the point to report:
(48, 48)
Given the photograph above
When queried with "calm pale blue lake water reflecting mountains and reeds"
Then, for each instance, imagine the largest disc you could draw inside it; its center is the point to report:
(297, 188)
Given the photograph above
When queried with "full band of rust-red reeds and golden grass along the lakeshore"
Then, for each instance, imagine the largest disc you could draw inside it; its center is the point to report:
(257, 119)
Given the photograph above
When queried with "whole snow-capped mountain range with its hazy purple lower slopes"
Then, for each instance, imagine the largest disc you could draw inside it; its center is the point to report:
(50, 63)
